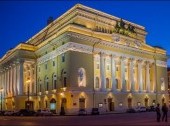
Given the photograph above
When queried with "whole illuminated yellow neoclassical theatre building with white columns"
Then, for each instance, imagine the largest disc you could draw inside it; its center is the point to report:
(84, 59)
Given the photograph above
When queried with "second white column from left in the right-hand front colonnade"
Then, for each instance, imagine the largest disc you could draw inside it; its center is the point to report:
(113, 72)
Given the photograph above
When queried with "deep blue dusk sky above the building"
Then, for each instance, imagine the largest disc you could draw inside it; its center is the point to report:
(19, 21)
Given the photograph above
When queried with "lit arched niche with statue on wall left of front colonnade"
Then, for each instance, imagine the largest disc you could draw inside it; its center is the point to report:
(81, 77)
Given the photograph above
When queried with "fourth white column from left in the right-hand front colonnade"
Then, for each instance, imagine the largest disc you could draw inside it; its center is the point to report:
(131, 75)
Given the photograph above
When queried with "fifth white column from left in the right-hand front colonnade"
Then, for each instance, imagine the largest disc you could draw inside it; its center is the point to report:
(140, 75)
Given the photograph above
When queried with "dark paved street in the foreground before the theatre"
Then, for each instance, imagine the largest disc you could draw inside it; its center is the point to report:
(145, 118)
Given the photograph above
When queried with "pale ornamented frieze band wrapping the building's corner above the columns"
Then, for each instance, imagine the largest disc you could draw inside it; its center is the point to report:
(71, 46)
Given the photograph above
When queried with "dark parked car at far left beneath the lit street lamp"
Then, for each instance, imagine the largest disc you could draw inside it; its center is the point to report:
(25, 112)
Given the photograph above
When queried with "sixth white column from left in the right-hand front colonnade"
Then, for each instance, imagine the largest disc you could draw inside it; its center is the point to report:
(147, 77)
